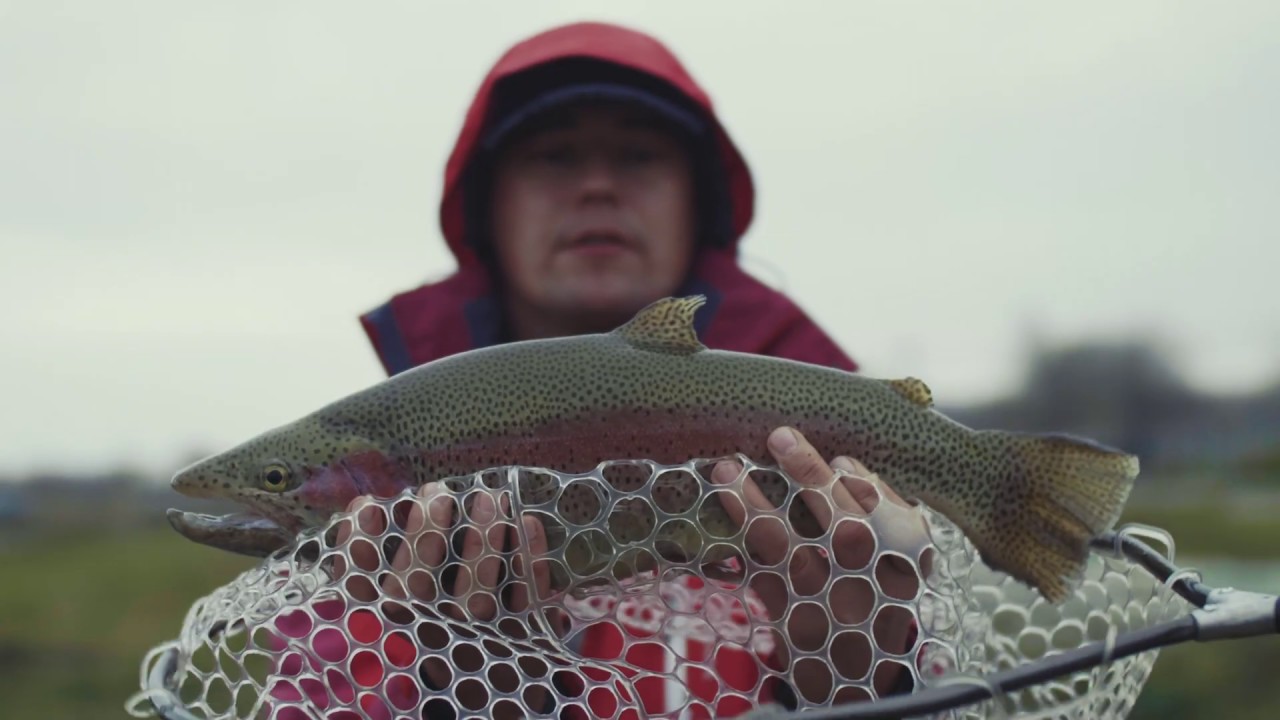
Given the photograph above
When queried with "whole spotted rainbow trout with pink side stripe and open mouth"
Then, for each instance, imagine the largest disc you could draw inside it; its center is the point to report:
(1030, 503)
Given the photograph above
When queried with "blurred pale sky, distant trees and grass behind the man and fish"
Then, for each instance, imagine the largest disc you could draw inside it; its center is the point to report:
(1060, 221)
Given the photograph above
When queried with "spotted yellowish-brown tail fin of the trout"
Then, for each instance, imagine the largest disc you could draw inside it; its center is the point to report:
(1058, 493)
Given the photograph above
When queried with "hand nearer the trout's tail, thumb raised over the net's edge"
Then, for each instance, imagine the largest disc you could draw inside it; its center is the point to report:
(810, 569)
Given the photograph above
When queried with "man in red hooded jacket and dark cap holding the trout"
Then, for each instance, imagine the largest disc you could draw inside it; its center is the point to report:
(591, 179)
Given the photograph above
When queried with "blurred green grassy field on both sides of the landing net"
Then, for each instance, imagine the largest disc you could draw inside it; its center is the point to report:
(80, 613)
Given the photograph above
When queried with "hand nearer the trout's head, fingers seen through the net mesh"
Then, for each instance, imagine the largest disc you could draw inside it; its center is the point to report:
(473, 591)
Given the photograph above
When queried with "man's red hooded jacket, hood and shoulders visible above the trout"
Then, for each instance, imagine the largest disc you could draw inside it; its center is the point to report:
(460, 313)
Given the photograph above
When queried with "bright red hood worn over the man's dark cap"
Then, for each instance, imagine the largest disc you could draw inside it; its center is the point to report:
(600, 42)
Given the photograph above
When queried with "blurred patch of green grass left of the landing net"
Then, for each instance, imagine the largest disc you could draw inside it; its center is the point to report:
(81, 612)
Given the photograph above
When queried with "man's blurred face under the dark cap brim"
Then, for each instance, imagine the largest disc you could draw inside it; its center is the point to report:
(593, 213)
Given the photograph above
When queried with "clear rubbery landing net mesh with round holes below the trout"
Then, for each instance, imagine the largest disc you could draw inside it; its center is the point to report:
(391, 613)
